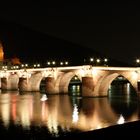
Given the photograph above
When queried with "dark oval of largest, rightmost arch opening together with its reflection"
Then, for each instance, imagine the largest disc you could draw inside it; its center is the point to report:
(124, 92)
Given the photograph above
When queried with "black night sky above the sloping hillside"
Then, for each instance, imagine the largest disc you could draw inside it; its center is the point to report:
(111, 28)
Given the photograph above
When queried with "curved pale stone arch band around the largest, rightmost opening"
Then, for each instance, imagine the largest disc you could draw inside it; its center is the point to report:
(103, 84)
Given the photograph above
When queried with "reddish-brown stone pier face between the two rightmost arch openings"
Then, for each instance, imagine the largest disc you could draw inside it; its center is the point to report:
(87, 86)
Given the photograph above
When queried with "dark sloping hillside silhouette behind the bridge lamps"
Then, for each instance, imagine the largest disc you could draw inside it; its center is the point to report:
(34, 46)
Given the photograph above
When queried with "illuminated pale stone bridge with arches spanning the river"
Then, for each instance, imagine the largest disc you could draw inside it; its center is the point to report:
(95, 80)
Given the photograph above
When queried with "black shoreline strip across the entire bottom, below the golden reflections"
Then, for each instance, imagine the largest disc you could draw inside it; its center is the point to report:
(130, 129)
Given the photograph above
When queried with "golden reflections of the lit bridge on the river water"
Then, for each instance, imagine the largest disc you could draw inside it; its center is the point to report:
(66, 113)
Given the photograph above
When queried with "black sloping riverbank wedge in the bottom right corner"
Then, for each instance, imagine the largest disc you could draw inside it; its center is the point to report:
(127, 130)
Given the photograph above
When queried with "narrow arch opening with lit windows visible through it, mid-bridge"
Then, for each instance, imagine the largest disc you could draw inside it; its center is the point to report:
(74, 87)
